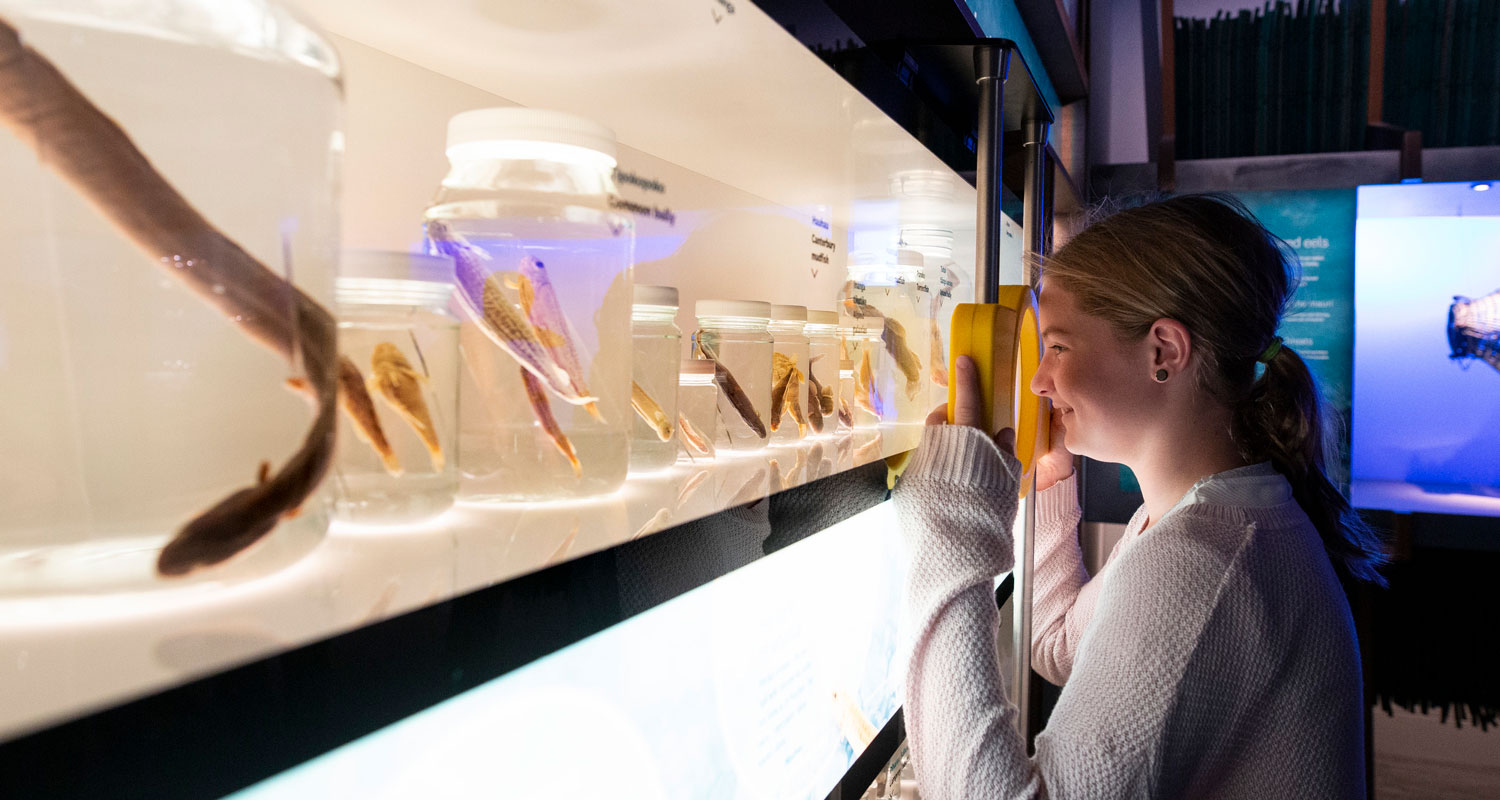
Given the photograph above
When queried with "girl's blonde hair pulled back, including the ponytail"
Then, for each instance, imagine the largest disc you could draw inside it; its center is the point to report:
(1208, 263)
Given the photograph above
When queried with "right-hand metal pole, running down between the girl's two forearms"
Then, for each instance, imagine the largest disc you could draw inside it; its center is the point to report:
(1034, 236)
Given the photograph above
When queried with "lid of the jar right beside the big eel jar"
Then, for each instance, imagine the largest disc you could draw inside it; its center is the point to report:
(394, 278)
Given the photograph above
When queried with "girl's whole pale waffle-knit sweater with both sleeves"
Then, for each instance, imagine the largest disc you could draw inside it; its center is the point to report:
(1216, 655)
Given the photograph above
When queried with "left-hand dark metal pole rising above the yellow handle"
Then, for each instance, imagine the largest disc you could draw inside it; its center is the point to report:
(991, 64)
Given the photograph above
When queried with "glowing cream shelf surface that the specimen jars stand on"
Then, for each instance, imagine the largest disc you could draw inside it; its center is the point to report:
(76, 655)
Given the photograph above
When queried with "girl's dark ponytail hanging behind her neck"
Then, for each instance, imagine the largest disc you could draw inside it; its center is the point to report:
(1285, 421)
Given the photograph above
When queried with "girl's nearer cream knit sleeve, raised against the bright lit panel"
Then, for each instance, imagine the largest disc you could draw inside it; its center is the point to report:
(956, 505)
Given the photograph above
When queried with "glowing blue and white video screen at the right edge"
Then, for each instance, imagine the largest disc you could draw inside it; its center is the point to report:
(1427, 349)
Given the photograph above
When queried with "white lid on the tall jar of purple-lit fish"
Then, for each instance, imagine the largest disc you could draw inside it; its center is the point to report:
(517, 133)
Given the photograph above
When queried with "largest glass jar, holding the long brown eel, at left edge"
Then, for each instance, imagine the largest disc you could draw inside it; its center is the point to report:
(145, 358)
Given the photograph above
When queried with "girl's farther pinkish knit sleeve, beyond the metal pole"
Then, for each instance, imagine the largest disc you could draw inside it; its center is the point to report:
(1063, 594)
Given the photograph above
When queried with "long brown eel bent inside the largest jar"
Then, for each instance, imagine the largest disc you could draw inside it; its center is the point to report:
(100, 161)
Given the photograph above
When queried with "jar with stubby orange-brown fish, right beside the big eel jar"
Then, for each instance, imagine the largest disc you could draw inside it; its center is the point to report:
(397, 459)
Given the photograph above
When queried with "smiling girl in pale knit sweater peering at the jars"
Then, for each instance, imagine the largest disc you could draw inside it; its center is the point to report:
(1216, 654)
